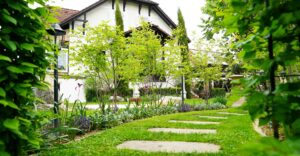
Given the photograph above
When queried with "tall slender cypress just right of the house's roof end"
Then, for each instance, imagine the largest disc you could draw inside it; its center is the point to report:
(183, 41)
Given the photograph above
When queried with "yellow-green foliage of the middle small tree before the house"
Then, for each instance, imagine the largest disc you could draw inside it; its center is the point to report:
(143, 55)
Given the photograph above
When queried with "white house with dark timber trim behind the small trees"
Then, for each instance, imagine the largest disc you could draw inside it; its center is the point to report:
(104, 10)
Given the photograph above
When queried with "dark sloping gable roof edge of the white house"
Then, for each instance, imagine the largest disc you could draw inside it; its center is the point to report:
(154, 6)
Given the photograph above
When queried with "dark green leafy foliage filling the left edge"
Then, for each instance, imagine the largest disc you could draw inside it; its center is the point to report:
(23, 63)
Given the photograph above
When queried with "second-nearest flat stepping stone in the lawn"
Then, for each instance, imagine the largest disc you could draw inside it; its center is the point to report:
(183, 131)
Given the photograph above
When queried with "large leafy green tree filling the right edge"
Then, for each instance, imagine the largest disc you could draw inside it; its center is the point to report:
(267, 32)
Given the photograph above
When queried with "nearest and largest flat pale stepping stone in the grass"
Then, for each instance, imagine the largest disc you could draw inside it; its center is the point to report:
(170, 146)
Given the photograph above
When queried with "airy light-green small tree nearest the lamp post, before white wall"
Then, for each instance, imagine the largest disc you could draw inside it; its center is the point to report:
(100, 57)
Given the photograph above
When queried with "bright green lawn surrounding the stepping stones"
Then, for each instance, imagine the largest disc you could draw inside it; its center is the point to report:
(231, 134)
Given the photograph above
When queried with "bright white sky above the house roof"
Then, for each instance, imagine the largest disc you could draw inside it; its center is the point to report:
(191, 10)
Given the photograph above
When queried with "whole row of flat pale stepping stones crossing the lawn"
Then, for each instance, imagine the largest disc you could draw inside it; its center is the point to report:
(179, 146)
